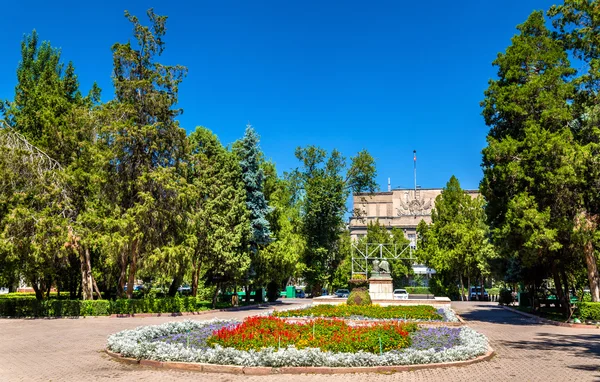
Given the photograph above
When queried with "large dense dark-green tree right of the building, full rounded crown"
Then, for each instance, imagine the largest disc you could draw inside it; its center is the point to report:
(533, 166)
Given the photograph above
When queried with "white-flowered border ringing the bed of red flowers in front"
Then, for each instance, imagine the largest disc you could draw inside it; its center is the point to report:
(137, 343)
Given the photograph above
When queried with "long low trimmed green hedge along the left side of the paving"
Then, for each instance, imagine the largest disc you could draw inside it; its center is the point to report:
(27, 307)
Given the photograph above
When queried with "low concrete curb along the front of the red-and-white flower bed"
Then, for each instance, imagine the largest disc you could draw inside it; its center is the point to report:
(261, 370)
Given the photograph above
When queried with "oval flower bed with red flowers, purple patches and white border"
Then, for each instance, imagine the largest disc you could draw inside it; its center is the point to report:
(264, 341)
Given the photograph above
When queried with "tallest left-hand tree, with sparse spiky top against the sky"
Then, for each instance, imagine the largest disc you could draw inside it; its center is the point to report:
(146, 149)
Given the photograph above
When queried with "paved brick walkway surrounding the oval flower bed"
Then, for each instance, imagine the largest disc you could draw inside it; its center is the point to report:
(71, 350)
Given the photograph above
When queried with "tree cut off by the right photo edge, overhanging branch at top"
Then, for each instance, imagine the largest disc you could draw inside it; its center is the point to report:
(577, 24)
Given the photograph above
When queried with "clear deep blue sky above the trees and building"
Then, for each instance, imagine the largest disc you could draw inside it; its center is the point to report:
(386, 76)
